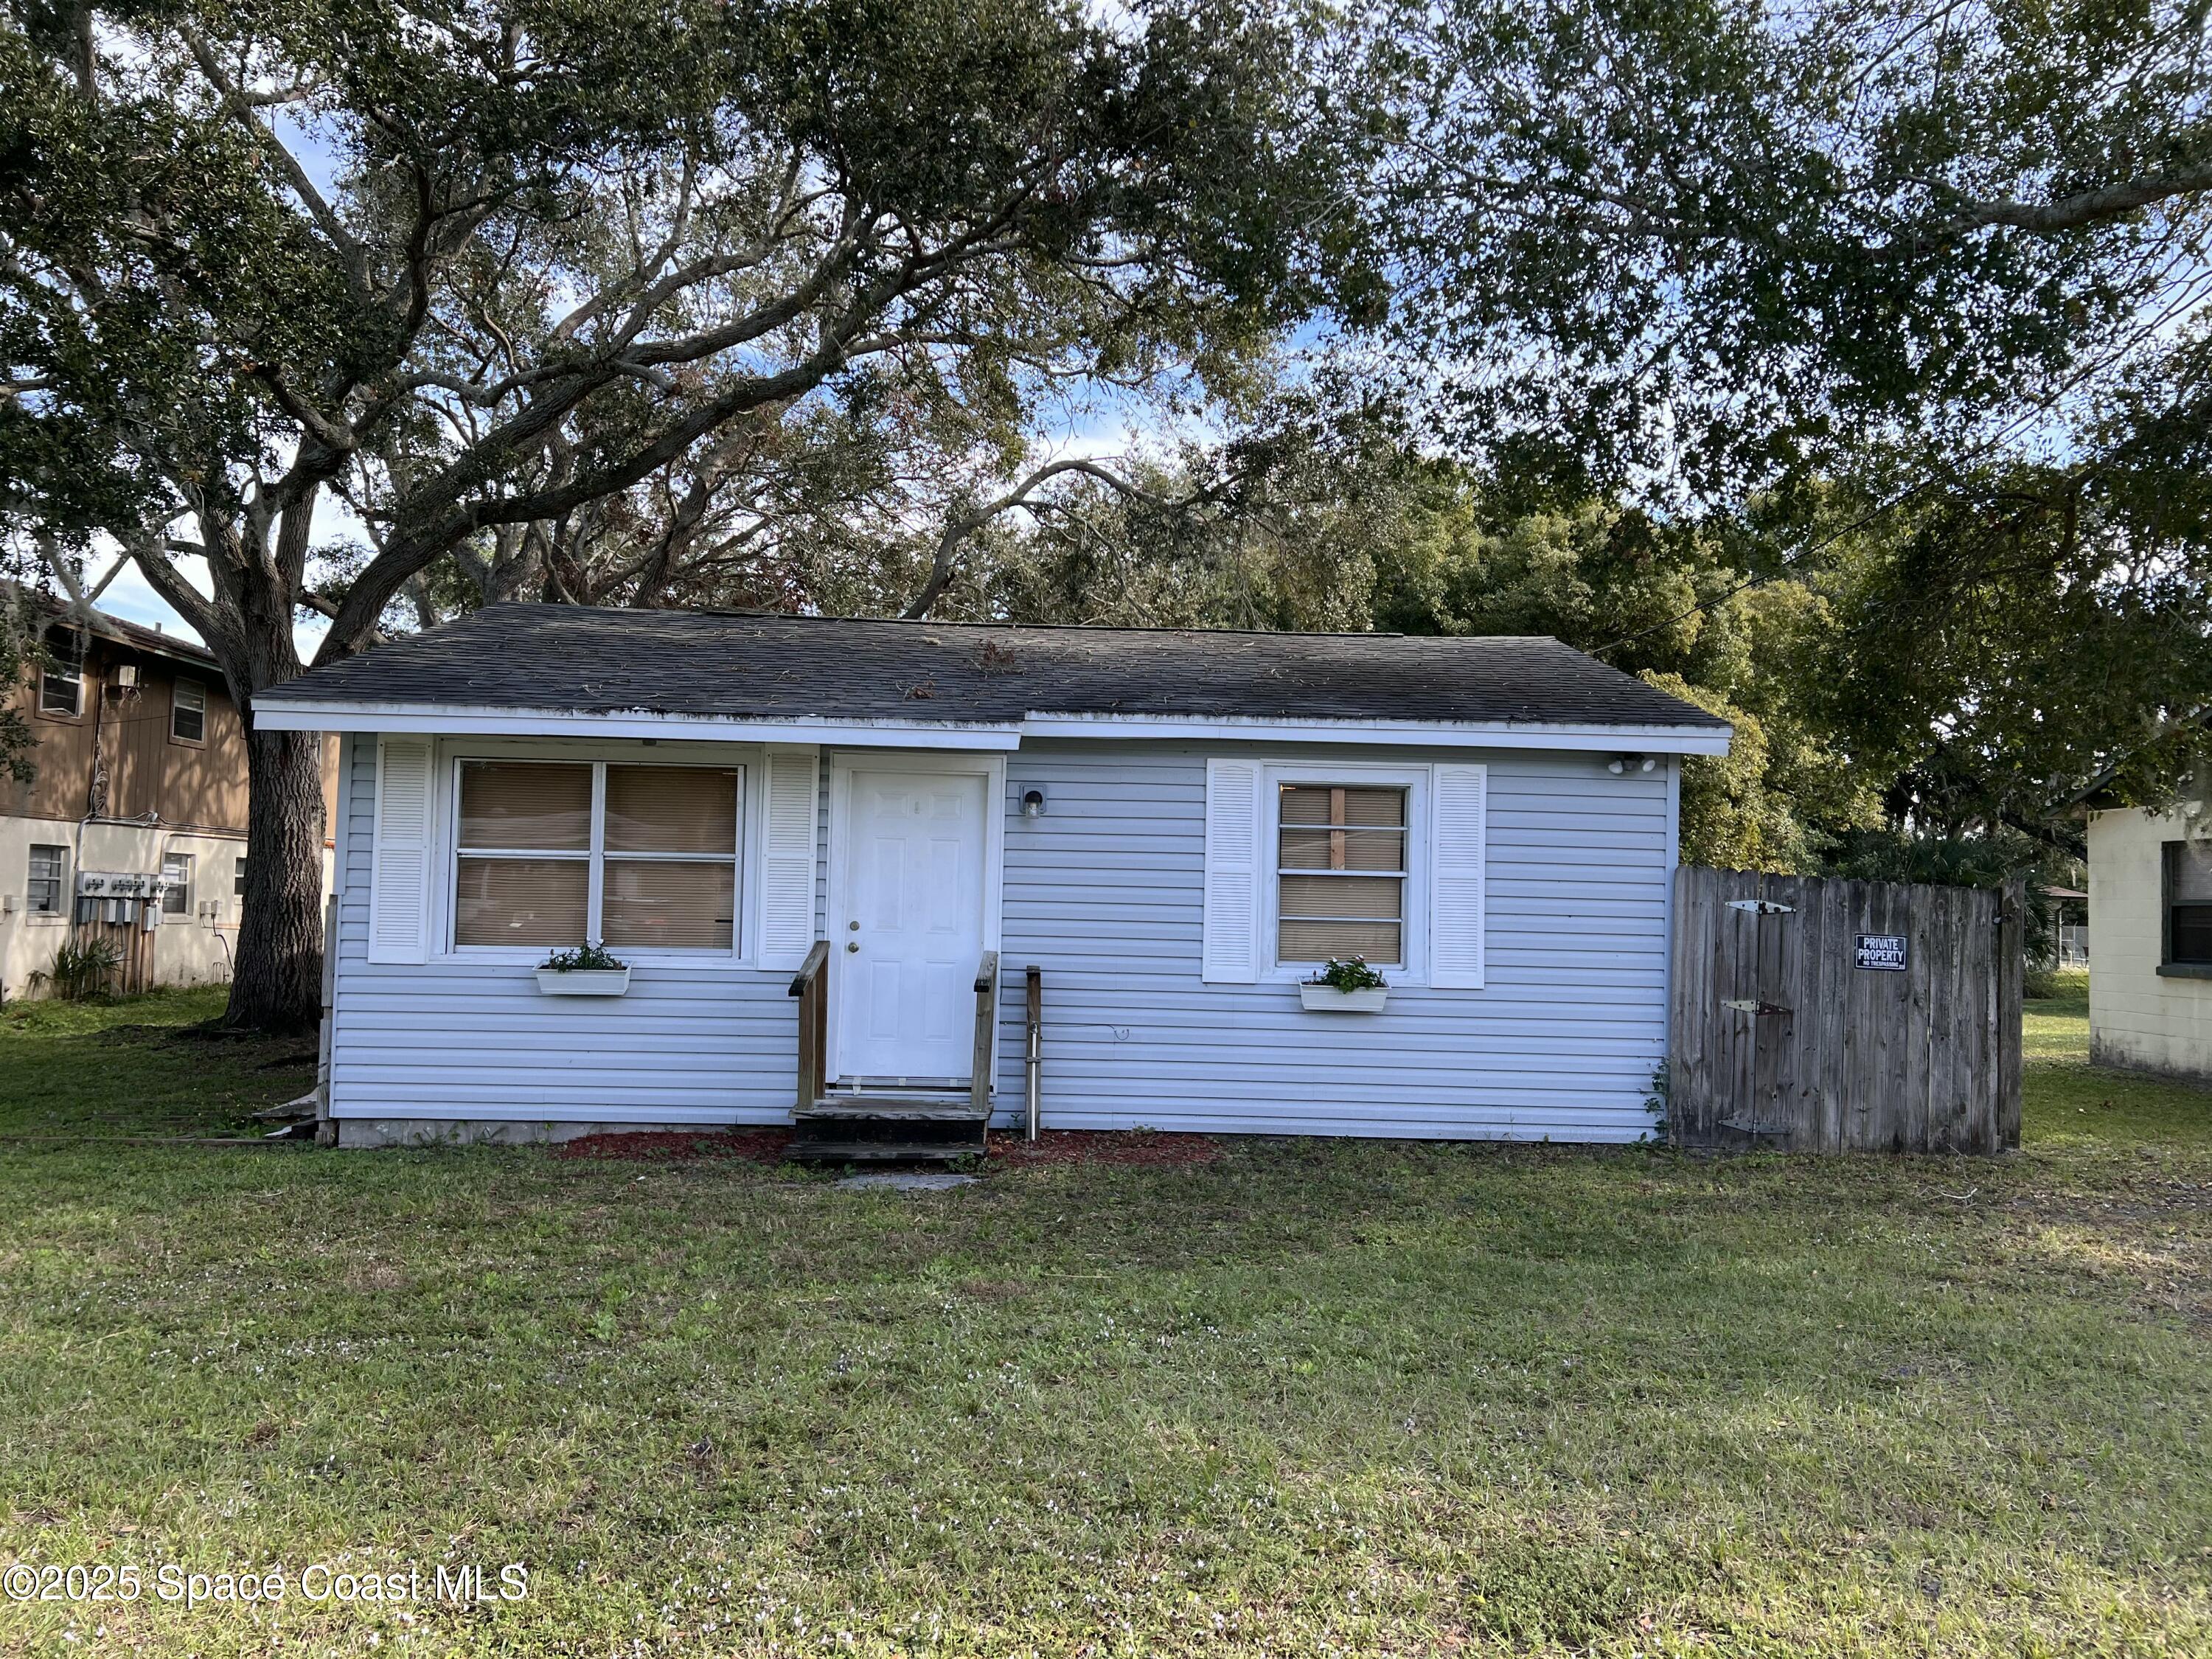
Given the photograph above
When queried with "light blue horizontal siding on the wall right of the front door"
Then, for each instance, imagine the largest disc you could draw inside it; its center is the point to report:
(1107, 893)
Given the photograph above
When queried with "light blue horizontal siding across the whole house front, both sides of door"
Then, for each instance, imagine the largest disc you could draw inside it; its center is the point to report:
(1561, 870)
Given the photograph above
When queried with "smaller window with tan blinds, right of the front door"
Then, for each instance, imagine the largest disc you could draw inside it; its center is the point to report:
(1342, 873)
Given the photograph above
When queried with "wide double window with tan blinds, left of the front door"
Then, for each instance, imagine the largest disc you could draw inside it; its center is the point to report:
(638, 857)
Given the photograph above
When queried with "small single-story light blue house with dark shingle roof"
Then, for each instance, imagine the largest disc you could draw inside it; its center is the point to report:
(1171, 826)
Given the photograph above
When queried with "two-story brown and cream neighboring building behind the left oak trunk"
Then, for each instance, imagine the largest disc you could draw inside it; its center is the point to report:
(134, 828)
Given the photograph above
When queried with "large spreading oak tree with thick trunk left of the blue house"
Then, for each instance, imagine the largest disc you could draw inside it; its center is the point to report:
(497, 275)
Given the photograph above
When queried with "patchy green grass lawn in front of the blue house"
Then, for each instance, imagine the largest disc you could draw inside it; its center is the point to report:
(1306, 1399)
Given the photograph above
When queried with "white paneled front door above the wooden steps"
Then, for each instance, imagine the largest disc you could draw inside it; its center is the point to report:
(910, 924)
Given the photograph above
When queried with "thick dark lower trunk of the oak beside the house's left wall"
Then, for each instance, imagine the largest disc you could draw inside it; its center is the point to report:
(278, 983)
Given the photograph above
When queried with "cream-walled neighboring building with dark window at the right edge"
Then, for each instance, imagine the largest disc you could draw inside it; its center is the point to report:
(2151, 943)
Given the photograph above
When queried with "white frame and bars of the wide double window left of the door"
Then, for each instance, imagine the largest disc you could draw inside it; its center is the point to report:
(718, 758)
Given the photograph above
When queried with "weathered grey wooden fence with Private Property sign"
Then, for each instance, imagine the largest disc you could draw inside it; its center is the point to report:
(1839, 1016)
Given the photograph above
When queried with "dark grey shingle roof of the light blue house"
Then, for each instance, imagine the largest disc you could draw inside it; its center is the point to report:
(782, 667)
